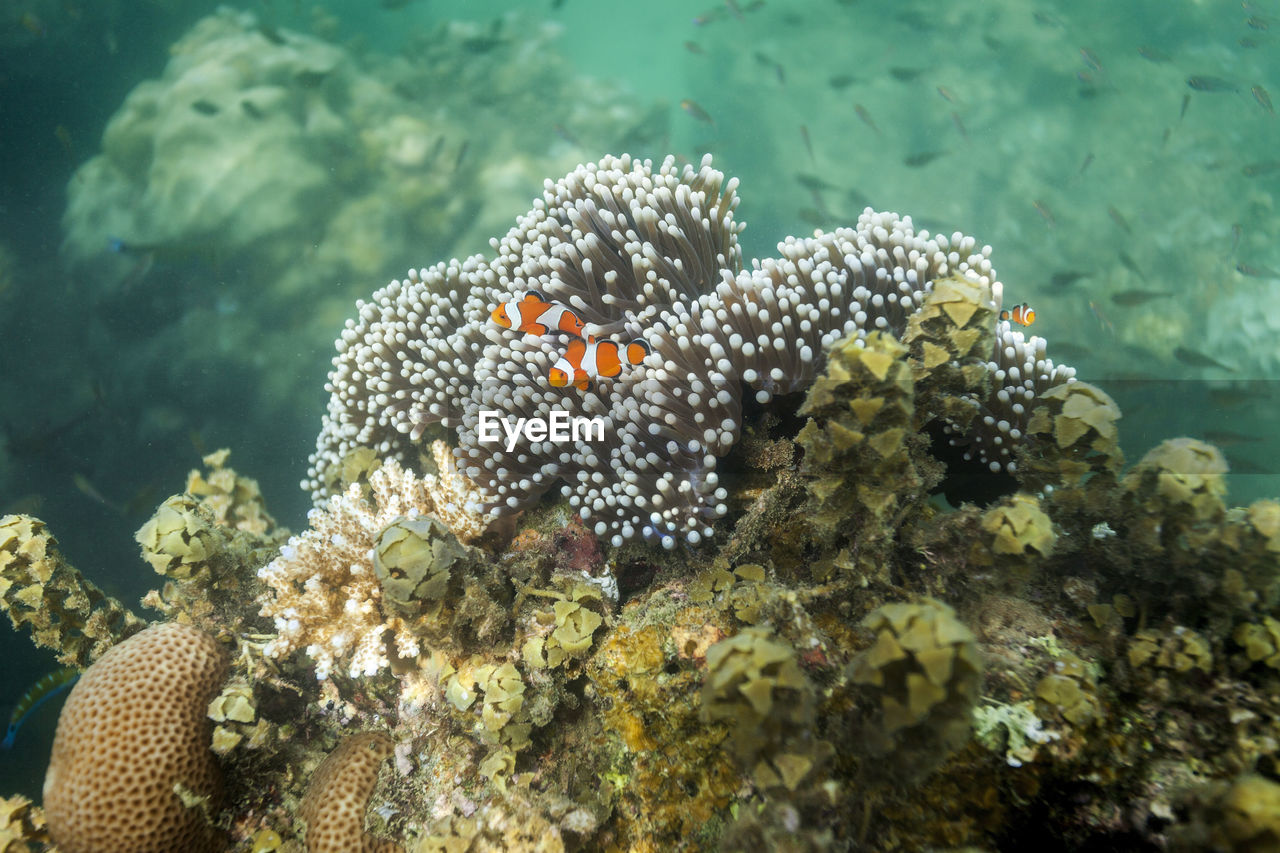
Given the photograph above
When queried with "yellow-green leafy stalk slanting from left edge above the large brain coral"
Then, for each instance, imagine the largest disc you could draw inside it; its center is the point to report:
(42, 591)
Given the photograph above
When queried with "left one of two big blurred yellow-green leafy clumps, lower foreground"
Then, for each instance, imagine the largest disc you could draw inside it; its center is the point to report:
(755, 685)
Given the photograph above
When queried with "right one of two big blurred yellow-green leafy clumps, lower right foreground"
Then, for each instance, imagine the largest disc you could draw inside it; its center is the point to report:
(921, 681)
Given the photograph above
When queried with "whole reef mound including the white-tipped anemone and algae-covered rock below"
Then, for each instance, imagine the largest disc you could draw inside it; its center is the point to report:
(860, 656)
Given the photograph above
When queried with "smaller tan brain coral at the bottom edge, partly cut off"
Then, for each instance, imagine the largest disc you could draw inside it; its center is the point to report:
(339, 796)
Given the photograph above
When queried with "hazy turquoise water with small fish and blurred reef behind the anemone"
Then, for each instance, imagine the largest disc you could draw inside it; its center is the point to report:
(1133, 211)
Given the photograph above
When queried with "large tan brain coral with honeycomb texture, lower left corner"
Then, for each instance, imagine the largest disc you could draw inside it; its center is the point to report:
(131, 769)
